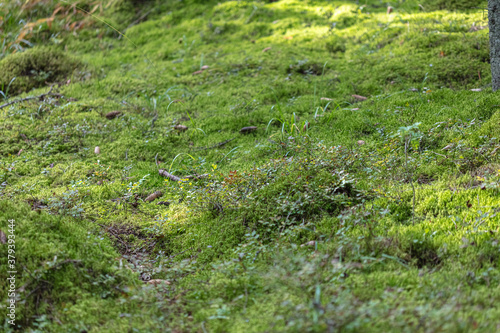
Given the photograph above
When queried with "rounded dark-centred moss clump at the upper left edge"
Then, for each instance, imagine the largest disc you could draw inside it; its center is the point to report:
(21, 72)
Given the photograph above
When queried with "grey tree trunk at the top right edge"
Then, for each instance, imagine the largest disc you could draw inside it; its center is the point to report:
(494, 23)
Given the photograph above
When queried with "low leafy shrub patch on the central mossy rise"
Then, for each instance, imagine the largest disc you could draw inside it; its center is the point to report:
(293, 188)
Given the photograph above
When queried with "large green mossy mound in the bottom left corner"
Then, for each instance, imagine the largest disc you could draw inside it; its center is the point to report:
(59, 264)
